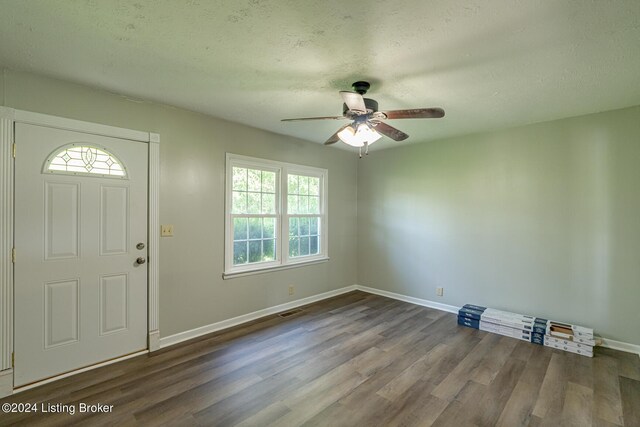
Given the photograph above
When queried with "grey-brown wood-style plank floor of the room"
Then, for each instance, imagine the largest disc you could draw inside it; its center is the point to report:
(354, 360)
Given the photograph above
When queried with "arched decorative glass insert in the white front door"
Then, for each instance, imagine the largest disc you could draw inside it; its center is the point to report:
(78, 159)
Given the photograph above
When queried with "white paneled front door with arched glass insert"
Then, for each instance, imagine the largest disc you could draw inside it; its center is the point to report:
(80, 238)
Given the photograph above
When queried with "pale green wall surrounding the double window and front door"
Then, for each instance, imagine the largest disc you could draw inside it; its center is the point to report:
(192, 162)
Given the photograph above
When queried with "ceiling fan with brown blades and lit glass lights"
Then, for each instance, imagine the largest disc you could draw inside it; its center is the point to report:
(367, 124)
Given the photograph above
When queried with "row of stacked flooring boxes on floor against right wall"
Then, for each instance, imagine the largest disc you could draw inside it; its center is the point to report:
(572, 338)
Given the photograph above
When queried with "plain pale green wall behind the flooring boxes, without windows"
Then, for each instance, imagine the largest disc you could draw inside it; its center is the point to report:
(541, 219)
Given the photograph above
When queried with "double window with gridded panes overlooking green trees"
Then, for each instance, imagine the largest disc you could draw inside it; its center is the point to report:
(275, 214)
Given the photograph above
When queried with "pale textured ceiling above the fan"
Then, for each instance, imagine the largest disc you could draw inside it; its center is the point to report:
(490, 64)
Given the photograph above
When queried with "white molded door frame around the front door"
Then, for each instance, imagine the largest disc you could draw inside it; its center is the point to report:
(8, 118)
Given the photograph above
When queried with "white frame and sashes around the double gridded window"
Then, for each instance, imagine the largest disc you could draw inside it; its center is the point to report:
(281, 233)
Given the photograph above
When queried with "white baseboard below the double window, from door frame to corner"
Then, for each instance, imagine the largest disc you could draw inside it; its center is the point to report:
(235, 321)
